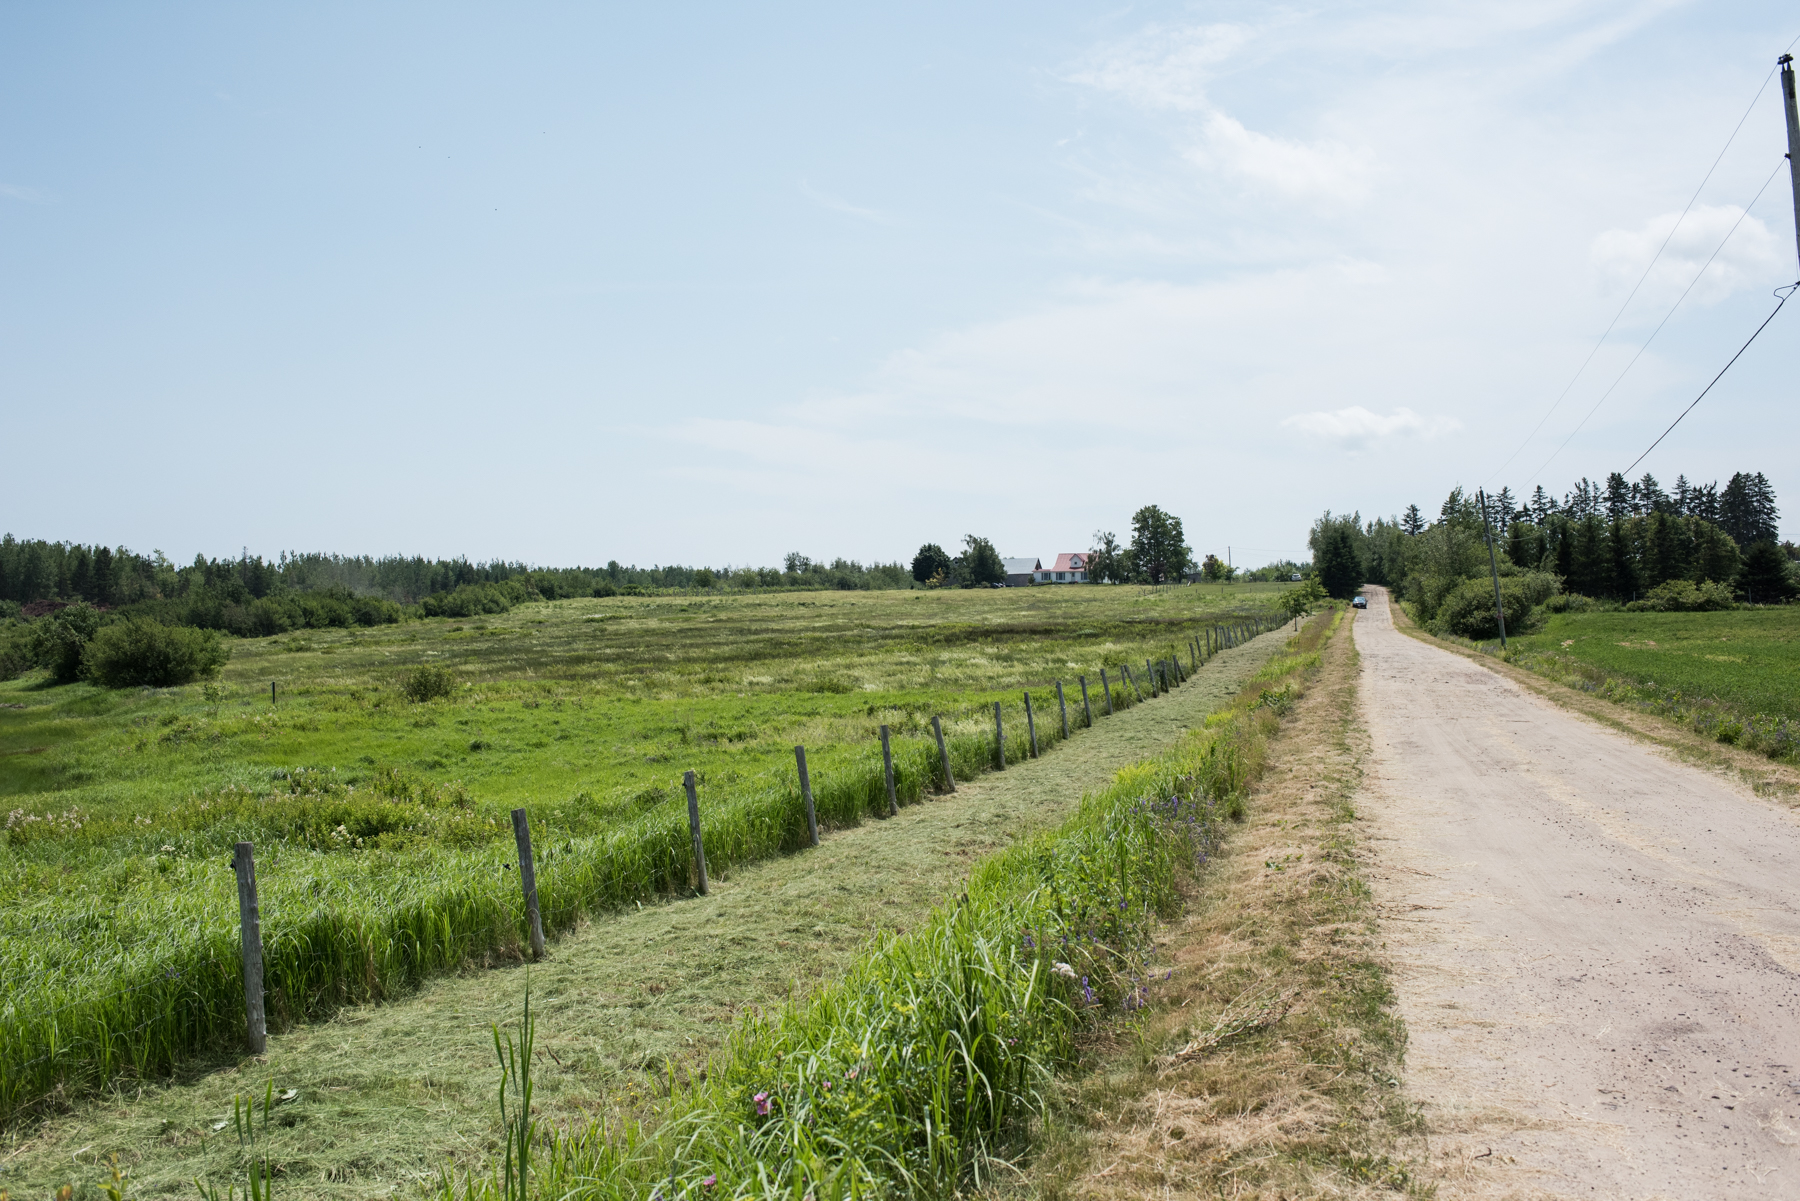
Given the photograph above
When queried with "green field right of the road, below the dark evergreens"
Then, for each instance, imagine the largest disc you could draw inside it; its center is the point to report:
(1734, 676)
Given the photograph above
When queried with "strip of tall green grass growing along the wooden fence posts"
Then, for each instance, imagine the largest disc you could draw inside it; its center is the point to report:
(195, 998)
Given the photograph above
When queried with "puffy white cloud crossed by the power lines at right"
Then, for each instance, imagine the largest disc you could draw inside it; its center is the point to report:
(1752, 257)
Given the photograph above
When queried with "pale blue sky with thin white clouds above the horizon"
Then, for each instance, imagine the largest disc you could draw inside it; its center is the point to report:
(715, 284)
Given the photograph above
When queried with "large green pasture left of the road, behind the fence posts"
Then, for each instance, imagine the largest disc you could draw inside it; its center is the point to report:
(381, 826)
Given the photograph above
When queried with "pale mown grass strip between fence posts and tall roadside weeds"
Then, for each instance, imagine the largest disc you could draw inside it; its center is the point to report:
(388, 1096)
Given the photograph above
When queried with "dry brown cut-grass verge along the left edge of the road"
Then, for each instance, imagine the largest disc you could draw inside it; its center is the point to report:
(1281, 998)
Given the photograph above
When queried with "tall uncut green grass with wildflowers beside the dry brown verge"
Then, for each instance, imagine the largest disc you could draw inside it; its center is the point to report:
(922, 1069)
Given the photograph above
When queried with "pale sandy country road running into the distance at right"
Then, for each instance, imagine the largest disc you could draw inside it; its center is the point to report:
(1597, 950)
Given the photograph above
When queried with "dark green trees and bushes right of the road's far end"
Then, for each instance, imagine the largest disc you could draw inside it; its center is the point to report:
(1623, 543)
